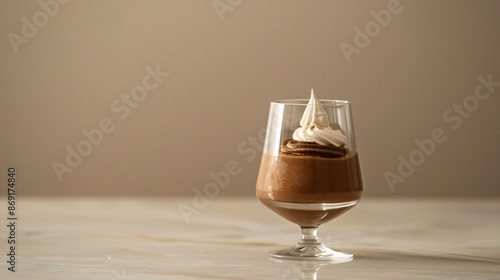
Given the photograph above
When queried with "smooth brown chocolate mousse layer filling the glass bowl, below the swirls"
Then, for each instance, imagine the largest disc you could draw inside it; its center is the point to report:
(309, 179)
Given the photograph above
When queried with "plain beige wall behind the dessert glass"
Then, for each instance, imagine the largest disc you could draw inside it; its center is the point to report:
(67, 69)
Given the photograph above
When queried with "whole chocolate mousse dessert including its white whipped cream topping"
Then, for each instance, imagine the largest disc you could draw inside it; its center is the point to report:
(310, 183)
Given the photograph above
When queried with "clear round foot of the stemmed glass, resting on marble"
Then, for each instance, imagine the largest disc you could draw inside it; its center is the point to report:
(317, 252)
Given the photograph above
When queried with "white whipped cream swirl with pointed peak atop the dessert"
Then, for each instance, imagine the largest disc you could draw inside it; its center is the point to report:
(315, 126)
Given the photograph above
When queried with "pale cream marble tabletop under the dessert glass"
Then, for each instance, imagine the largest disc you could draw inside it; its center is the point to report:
(228, 238)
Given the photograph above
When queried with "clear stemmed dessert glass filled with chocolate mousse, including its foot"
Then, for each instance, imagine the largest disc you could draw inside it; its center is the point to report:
(308, 183)
